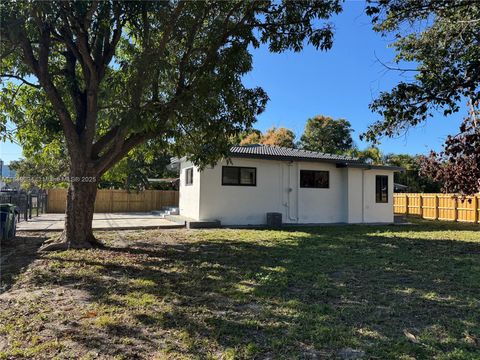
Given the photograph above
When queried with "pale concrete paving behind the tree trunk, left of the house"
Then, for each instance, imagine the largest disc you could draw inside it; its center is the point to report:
(101, 221)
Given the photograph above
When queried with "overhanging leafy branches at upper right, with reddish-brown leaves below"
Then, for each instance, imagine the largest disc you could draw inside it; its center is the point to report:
(438, 44)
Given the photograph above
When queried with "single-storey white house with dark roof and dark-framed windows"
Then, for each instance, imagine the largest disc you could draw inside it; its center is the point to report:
(306, 187)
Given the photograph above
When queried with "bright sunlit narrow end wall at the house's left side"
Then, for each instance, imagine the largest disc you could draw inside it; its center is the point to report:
(189, 198)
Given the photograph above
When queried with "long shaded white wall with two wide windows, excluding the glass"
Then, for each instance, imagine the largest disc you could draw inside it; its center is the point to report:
(277, 190)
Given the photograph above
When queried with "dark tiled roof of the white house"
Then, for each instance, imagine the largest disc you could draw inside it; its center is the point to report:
(260, 151)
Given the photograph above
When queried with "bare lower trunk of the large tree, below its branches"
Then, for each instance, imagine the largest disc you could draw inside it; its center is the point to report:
(77, 233)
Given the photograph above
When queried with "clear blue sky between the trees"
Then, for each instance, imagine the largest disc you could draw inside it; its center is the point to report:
(341, 83)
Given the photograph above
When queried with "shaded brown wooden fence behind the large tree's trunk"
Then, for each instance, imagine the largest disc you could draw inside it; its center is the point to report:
(118, 200)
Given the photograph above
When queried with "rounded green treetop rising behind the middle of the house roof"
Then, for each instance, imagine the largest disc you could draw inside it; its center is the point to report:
(325, 134)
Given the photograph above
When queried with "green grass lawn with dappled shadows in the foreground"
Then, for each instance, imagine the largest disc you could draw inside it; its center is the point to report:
(384, 292)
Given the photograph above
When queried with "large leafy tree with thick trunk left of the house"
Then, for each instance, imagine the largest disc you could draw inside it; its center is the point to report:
(109, 75)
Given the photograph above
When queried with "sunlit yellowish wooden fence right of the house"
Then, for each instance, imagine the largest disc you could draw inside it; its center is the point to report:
(438, 206)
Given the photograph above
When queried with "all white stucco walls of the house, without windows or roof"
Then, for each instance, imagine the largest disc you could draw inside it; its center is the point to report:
(350, 197)
